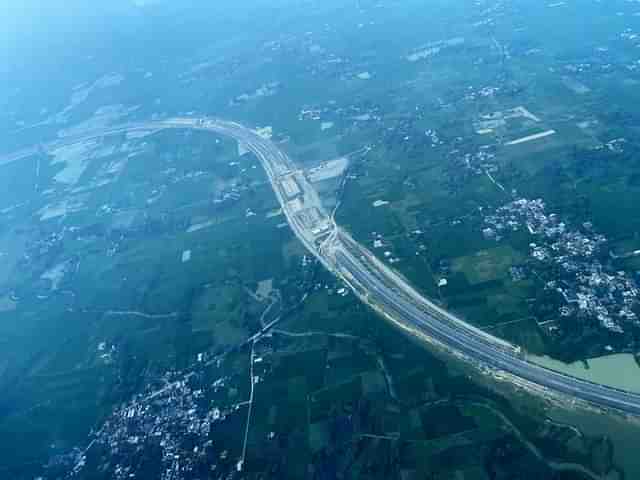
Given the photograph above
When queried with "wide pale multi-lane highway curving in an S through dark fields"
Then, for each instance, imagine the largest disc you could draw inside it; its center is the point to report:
(374, 282)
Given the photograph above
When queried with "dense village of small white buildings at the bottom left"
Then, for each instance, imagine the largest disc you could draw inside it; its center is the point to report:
(164, 419)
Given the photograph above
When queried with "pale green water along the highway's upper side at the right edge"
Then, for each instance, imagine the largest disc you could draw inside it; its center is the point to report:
(619, 370)
